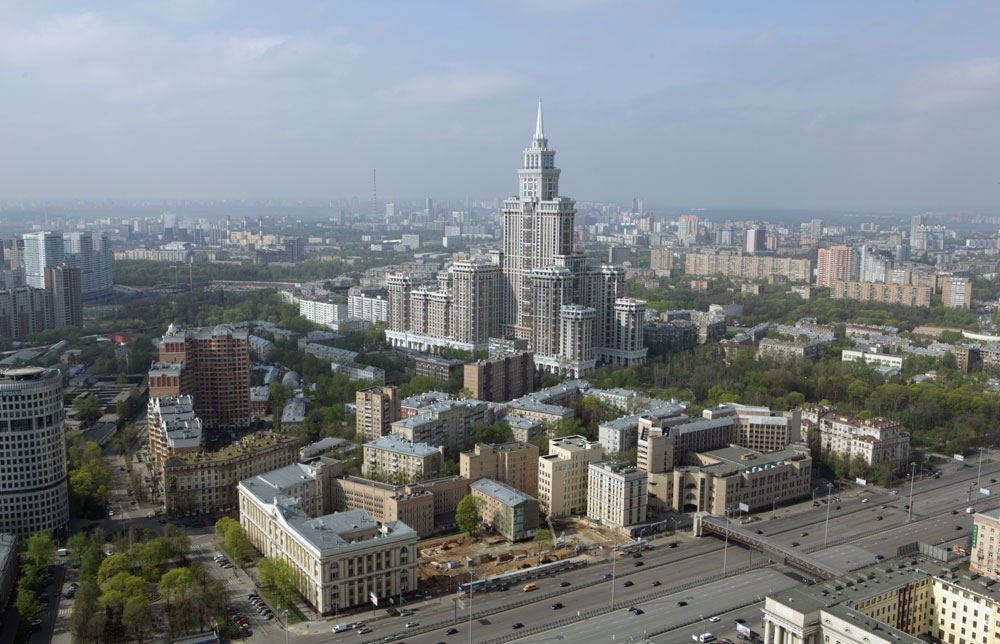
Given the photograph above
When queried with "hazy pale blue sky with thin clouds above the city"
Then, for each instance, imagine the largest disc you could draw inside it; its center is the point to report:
(877, 106)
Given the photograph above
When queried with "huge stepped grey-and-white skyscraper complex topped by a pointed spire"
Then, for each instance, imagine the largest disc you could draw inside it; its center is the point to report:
(521, 292)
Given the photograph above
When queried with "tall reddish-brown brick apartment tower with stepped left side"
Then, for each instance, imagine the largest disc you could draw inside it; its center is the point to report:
(212, 365)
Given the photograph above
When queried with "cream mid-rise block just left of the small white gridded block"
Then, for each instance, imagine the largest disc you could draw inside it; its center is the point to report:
(562, 475)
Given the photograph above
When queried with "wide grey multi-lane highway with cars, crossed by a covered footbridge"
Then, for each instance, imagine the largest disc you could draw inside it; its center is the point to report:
(855, 538)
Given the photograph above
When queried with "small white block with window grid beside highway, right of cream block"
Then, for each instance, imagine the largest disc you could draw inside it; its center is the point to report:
(616, 493)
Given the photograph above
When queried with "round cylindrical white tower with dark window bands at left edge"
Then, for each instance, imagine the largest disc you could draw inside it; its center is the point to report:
(34, 495)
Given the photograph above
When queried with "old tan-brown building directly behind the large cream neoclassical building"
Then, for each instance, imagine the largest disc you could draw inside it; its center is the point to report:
(204, 483)
